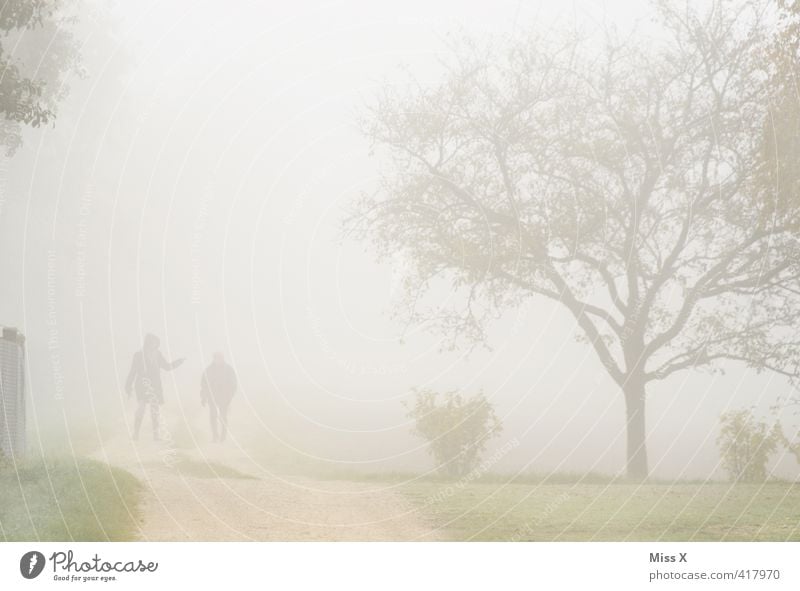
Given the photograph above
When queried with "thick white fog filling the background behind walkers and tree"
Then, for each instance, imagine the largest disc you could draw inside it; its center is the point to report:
(194, 185)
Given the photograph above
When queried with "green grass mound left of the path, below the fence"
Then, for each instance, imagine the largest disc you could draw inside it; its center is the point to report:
(67, 499)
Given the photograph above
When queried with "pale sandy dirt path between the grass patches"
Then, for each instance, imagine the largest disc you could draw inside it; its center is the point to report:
(215, 494)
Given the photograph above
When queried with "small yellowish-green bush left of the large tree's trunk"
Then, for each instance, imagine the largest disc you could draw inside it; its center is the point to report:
(456, 428)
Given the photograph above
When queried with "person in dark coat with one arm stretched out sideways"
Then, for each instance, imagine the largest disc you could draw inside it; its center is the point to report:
(145, 378)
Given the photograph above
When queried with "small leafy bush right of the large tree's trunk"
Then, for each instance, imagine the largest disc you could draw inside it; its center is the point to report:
(746, 445)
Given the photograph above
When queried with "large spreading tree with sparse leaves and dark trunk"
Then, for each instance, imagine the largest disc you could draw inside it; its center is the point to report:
(622, 179)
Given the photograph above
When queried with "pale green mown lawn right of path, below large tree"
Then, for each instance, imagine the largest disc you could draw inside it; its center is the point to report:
(610, 511)
